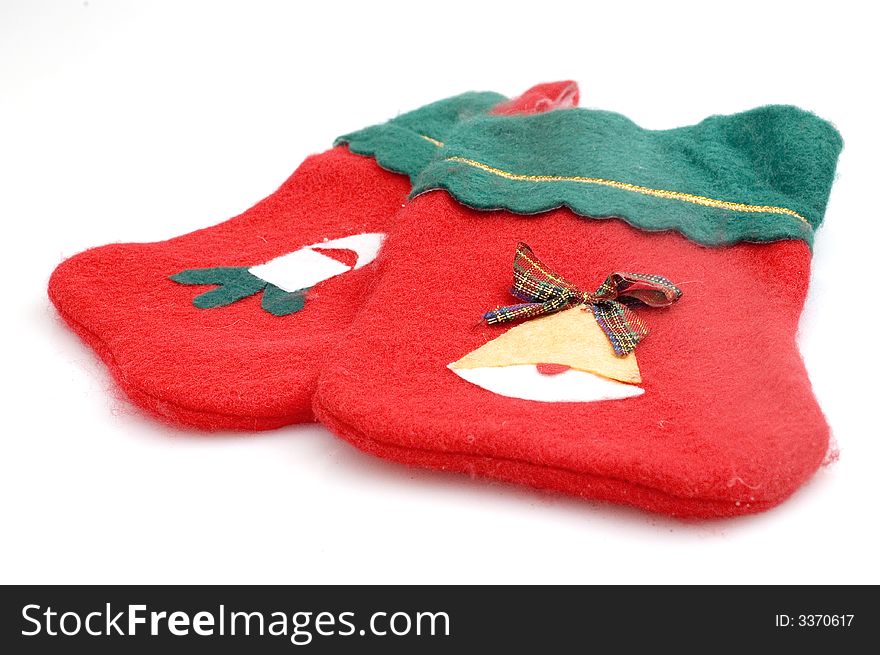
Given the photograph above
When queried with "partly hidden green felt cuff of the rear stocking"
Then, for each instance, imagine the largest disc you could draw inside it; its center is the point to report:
(406, 144)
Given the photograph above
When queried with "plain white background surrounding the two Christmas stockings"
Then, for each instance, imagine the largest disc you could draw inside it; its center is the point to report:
(137, 122)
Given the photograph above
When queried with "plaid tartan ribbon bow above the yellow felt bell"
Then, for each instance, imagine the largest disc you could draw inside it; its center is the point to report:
(547, 293)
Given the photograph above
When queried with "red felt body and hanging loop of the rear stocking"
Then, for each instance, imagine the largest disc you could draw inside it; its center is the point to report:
(237, 367)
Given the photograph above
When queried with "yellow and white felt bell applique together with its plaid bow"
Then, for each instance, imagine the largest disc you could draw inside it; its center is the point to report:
(578, 347)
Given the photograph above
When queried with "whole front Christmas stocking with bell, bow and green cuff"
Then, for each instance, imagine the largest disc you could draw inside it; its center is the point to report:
(622, 327)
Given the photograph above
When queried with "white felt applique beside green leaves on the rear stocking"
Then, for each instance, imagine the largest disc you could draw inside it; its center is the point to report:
(306, 267)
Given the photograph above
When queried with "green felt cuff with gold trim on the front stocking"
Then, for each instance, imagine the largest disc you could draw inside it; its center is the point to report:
(761, 175)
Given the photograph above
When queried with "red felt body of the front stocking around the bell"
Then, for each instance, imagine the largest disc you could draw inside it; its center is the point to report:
(727, 425)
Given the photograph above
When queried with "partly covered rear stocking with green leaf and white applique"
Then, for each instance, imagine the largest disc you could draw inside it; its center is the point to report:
(224, 328)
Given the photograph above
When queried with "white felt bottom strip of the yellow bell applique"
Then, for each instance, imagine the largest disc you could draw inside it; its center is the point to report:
(525, 382)
